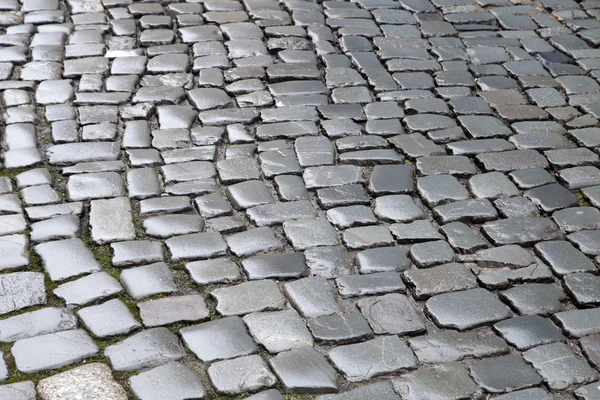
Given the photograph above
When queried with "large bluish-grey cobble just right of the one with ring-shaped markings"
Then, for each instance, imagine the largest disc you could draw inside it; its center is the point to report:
(466, 309)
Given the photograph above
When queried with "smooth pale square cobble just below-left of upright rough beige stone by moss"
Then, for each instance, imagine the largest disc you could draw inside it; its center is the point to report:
(67, 258)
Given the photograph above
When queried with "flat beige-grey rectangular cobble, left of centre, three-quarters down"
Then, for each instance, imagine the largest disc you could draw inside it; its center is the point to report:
(248, 297)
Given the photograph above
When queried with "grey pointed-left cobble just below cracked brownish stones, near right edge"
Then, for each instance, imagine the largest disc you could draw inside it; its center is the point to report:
(535, 298)
